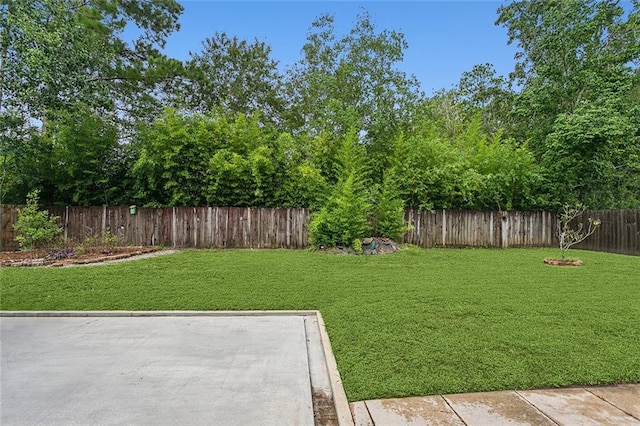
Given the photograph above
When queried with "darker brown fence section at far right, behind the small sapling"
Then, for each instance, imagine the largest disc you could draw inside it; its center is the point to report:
(619, 231)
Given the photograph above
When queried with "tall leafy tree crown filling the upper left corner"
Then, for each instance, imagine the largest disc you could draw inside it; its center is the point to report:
(58, 52)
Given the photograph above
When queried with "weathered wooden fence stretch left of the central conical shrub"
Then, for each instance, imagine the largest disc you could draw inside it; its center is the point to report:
(198, 227)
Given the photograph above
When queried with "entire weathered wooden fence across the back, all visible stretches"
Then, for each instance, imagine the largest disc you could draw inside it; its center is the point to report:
(240, 227)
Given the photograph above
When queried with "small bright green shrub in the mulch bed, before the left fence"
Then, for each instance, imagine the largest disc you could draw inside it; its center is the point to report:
(34, 228)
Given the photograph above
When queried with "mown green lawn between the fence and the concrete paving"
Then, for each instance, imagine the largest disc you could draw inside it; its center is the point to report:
(415, 323)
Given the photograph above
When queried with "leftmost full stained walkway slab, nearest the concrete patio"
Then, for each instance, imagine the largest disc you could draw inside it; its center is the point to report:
(415, 411)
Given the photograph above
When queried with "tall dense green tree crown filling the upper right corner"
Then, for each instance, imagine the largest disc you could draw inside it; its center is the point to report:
(571, 51)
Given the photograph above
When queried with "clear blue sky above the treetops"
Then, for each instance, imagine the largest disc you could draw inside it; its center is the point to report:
(445, 38)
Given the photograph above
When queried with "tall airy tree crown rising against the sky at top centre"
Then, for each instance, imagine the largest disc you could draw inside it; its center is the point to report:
(353, 81)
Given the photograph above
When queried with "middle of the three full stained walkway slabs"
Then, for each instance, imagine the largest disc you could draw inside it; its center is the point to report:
(496, 409)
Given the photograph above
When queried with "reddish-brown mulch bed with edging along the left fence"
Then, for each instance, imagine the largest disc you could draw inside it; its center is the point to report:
(71, 256)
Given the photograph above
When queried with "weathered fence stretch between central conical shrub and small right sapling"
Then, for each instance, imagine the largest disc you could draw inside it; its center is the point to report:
(460, 228)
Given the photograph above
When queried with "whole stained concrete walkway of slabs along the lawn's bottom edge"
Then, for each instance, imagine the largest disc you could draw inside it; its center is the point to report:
(598, 406)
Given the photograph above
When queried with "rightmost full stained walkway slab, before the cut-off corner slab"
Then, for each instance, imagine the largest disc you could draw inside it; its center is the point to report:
(577, 407)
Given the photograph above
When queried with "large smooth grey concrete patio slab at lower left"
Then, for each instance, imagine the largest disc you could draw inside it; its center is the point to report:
(232, 370)
